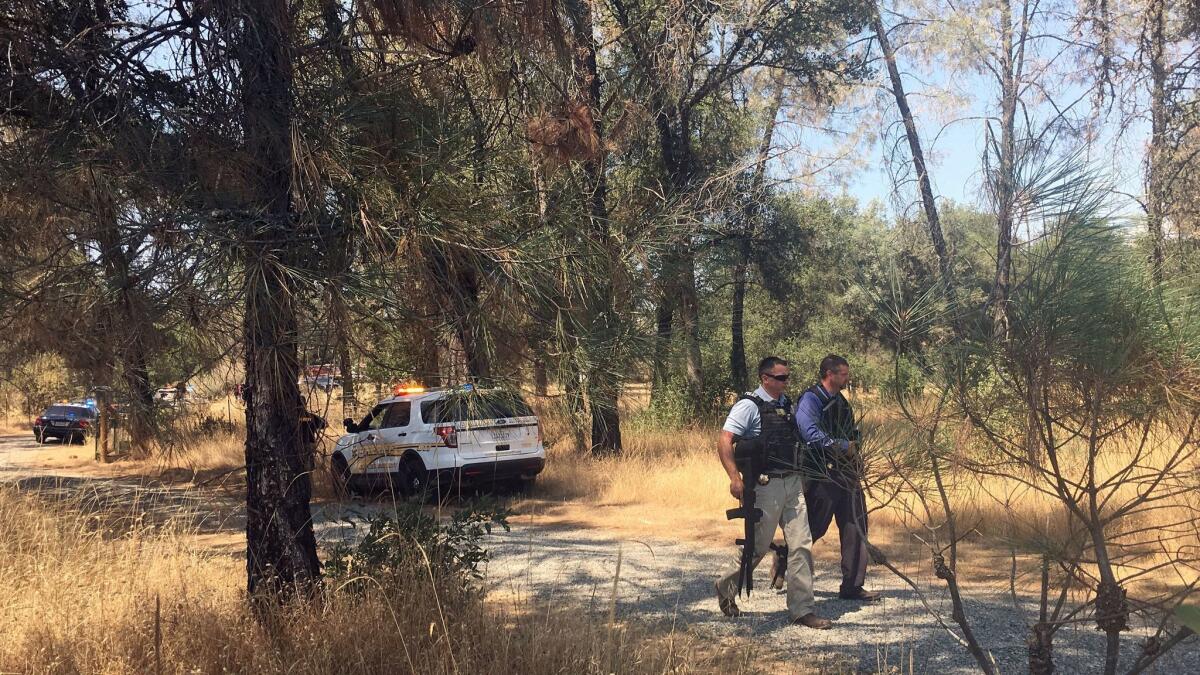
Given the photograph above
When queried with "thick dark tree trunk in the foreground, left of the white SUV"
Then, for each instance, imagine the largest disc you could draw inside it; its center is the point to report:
(281, 551)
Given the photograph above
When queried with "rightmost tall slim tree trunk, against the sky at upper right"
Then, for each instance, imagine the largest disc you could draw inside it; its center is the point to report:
(1156, 200)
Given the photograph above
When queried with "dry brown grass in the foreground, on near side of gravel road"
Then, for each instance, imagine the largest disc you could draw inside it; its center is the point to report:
(99, 599)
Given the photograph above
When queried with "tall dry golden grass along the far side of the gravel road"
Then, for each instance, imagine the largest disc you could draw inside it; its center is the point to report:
(673, 475)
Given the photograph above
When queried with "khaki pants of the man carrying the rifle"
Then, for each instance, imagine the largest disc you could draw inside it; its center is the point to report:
(783, 505)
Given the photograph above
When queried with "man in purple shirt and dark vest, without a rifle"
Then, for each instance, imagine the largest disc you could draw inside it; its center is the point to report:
(833, 489)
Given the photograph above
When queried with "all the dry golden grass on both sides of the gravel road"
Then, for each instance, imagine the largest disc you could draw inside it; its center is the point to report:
(135, 598)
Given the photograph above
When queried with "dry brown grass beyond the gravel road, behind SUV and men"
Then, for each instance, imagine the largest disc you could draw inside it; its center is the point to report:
(669, 483)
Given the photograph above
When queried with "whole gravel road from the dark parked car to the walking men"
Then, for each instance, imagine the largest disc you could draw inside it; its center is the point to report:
(661, 581)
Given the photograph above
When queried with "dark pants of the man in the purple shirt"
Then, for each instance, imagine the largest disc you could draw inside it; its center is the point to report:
(842, 500)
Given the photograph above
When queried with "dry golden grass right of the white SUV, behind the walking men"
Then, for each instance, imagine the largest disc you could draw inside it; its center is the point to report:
(669, 483)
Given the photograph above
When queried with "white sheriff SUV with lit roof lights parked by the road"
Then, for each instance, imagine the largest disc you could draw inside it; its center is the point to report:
(428, 444)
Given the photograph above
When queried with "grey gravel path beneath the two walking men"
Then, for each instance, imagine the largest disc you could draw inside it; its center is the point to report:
(671, 584)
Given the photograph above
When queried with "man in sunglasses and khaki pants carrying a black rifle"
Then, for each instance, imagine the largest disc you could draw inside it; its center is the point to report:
(760, 450)
